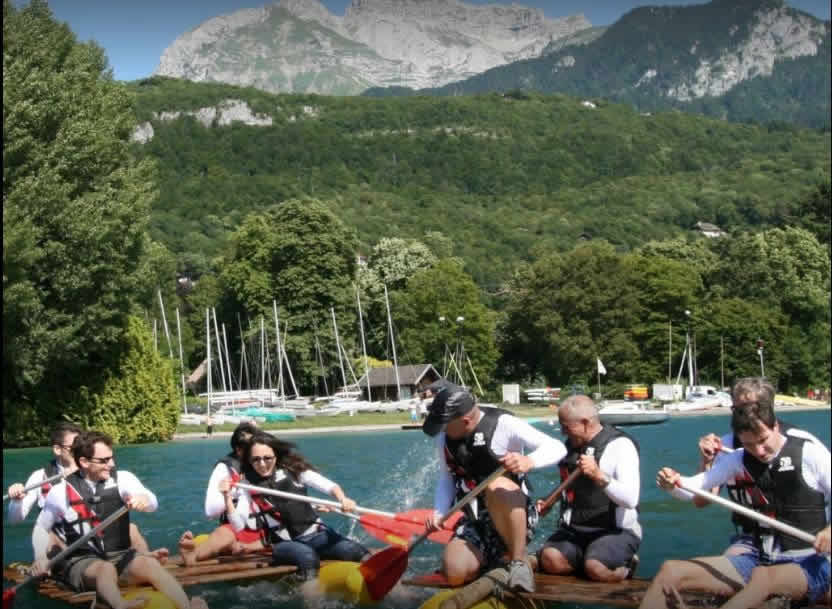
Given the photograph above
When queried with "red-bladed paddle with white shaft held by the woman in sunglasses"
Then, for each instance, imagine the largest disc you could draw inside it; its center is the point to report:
(381, 525)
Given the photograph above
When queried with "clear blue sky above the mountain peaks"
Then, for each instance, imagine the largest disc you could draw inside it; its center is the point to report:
(135, 34)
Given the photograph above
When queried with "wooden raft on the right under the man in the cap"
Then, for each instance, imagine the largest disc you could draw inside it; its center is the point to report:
(568, 589)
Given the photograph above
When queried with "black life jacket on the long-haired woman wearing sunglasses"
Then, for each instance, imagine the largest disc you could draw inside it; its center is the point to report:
(276, 514)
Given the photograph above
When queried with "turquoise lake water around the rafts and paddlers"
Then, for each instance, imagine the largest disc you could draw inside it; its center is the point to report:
(392, 471)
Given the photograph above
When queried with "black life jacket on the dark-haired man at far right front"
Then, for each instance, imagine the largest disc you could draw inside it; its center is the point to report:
(784, 495)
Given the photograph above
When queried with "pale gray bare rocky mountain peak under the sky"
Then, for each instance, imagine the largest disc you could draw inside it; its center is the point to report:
(299, 46)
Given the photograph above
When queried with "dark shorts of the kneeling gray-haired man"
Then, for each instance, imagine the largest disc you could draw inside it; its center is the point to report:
(612, 549)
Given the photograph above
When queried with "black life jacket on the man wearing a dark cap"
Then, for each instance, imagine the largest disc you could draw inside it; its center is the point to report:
(470, 459)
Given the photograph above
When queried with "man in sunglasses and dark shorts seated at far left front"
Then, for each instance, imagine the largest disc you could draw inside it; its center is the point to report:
(86, 497)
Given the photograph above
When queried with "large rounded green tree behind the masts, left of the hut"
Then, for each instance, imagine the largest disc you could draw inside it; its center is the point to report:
(299, 254)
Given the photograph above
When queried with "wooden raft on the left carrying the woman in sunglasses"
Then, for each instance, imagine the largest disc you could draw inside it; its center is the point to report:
(221, 569)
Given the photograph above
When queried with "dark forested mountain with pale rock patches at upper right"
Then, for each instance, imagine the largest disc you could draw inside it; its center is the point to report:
(736, 59)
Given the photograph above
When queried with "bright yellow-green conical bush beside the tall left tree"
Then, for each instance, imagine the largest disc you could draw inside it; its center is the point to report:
(140, 400)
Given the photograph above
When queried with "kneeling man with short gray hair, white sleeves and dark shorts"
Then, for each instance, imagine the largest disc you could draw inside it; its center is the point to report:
(598, 533)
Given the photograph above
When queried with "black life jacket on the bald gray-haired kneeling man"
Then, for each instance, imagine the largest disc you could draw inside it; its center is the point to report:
(590, 506)
